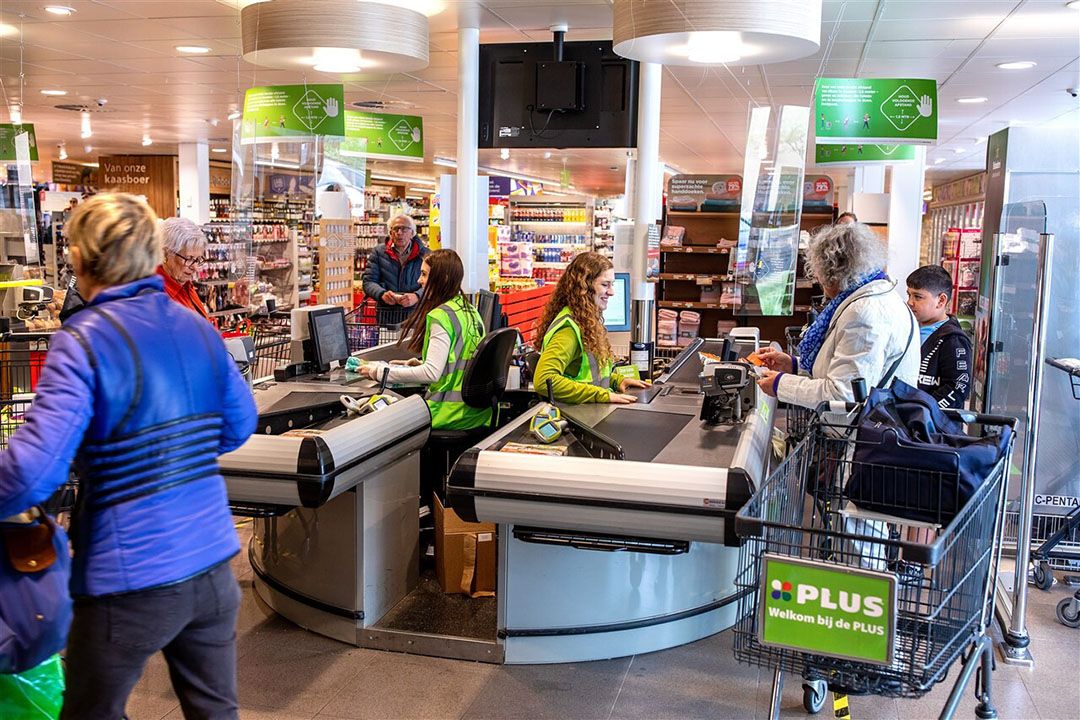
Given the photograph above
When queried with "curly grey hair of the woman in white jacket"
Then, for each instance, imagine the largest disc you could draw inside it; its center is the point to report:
(842, 255)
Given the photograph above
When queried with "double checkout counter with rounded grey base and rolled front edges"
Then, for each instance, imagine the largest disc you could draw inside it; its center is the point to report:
(623, 546)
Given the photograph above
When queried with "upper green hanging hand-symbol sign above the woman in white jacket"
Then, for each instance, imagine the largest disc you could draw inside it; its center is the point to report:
(875, 111)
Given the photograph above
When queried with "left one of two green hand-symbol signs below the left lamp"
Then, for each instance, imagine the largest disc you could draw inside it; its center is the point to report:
(293, 112)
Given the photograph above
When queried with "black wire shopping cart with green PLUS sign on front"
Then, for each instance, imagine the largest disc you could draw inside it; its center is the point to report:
(906, 600)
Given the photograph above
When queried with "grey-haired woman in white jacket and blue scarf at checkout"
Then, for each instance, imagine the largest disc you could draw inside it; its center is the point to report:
(866, 331)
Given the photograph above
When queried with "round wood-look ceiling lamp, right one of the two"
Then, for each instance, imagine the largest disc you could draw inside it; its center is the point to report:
(710, 33)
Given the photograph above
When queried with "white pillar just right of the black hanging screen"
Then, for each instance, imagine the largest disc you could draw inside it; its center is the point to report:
(647, 185)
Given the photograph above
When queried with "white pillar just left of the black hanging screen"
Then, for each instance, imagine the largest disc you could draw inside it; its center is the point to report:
(468, 236)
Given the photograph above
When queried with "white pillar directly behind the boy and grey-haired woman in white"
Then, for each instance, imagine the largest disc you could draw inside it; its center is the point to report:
(906, 218)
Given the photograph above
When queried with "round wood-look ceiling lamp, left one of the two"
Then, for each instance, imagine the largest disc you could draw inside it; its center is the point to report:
(335, 36)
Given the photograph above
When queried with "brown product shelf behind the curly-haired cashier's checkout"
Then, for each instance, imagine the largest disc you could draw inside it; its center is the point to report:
(697, 277)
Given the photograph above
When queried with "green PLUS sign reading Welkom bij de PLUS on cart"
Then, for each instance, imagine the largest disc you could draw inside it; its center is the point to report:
(828, 609)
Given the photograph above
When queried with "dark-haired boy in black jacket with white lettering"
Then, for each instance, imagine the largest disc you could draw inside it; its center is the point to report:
(946, 372)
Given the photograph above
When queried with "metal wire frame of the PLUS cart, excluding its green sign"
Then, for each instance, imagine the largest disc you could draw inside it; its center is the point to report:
(943, 588)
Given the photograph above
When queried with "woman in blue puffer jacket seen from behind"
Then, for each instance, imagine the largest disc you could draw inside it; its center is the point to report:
(141, 395)
